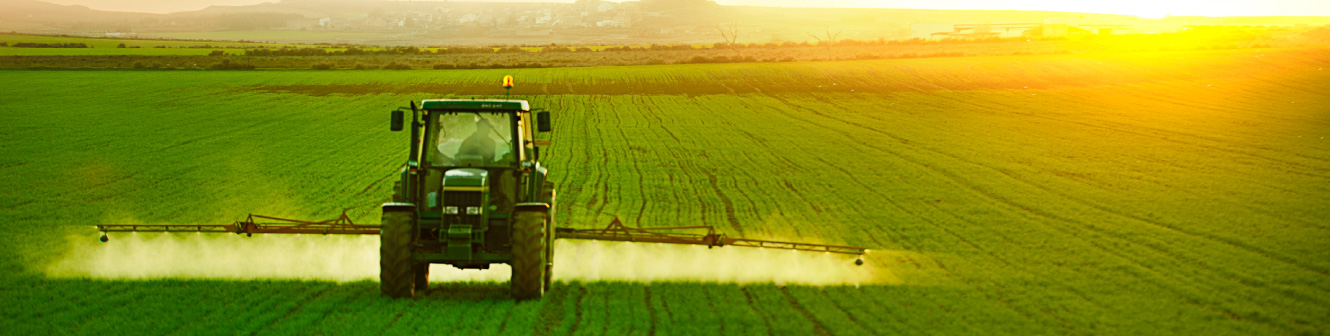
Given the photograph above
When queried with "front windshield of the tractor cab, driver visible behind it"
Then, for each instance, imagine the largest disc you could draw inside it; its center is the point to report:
(471, 139)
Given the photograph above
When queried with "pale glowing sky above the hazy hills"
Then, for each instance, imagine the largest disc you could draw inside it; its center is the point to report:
(1144, 9)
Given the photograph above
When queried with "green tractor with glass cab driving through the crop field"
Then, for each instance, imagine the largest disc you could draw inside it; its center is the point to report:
(473, 195)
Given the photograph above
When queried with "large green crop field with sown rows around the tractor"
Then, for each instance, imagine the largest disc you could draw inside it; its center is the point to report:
(1179, 193)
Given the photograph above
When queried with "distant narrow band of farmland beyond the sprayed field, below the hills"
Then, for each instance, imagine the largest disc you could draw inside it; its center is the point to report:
(187, 55)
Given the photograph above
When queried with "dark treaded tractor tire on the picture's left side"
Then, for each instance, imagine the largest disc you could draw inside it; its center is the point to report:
(396, 270)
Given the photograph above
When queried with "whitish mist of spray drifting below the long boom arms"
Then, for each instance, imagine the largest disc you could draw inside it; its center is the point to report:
(143, 256)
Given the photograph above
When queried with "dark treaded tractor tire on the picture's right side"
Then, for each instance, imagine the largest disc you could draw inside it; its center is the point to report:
(529, 256)
